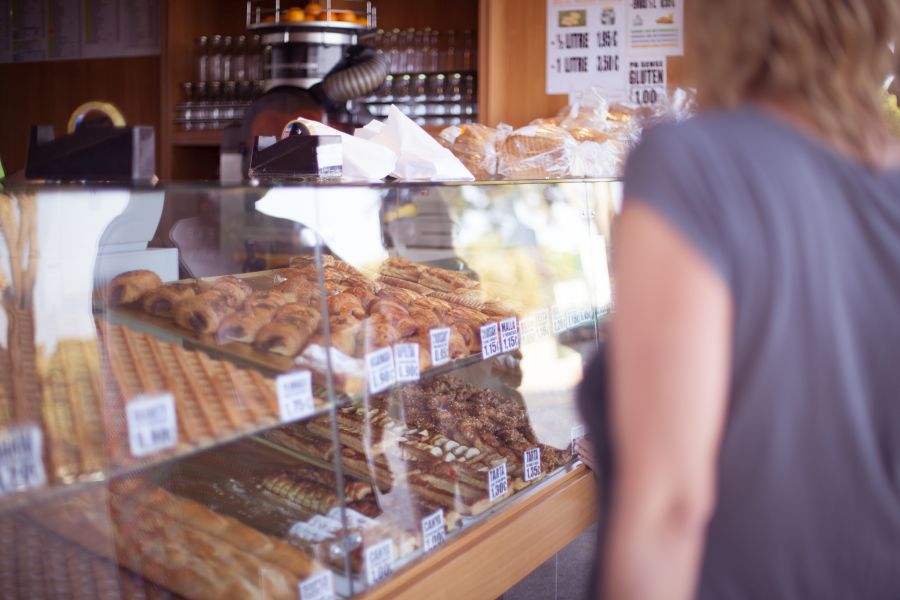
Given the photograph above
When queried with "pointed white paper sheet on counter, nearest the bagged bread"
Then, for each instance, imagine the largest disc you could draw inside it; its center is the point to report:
(419, 156)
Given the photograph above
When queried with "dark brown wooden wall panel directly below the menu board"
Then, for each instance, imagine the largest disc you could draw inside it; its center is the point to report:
(48, 92)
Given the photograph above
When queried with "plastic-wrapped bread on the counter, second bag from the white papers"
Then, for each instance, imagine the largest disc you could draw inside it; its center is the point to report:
(536, 152)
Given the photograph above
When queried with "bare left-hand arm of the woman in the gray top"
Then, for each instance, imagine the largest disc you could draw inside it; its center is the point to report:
(670, 357)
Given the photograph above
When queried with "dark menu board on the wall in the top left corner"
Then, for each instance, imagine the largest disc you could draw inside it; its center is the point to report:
(40, 30)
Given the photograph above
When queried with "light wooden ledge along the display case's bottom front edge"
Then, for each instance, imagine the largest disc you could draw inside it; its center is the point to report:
(489, 558)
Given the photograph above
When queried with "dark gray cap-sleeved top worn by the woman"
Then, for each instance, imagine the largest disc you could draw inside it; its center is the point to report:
(808, 242)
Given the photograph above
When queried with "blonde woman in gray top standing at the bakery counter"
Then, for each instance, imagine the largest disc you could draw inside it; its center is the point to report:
(755, 349)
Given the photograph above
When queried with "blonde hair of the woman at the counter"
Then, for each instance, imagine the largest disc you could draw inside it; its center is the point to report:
(825, 59)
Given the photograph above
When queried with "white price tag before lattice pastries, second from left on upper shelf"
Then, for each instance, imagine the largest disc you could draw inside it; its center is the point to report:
(152, 426)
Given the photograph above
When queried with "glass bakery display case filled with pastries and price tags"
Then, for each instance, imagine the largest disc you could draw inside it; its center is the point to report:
(307, 391)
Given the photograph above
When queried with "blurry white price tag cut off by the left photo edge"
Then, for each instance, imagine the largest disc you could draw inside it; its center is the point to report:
(21, 463)
